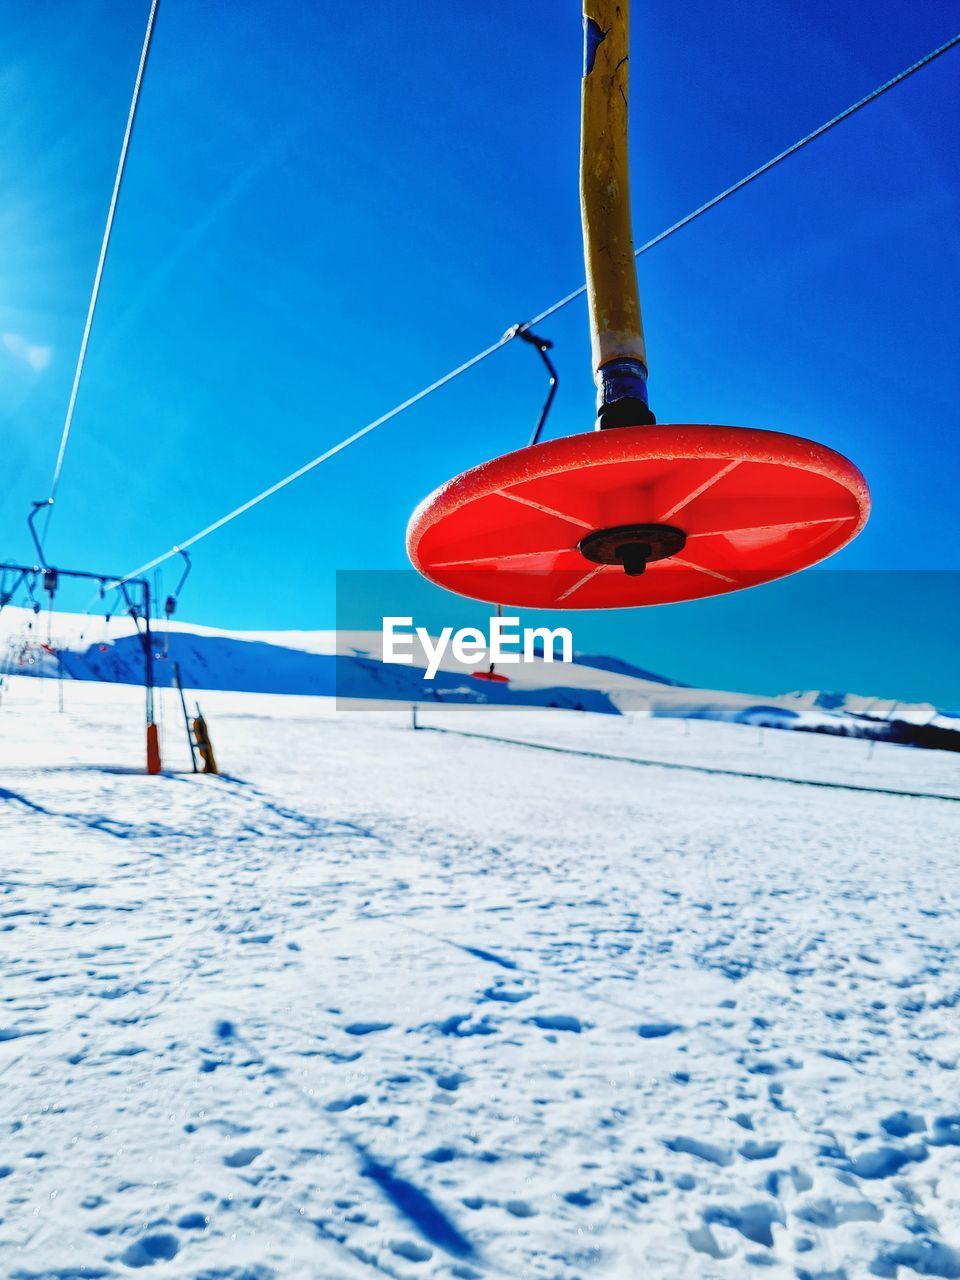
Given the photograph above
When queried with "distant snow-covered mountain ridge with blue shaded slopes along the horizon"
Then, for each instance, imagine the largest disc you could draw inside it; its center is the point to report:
(350, 666)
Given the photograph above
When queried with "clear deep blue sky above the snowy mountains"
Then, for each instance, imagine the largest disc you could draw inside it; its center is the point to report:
(322, 216)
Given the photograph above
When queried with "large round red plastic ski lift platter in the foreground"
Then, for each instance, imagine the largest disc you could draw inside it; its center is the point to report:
(712, 509)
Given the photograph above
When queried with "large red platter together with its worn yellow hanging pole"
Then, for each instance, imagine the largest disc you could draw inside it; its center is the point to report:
(633, 513)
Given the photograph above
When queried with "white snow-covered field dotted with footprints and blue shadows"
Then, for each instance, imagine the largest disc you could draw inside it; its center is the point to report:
(382, 1003)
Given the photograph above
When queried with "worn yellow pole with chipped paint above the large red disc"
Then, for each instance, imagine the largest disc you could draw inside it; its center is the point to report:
(616, 326)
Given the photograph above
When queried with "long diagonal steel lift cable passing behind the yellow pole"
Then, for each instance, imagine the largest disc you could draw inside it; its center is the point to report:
(518, 331)
